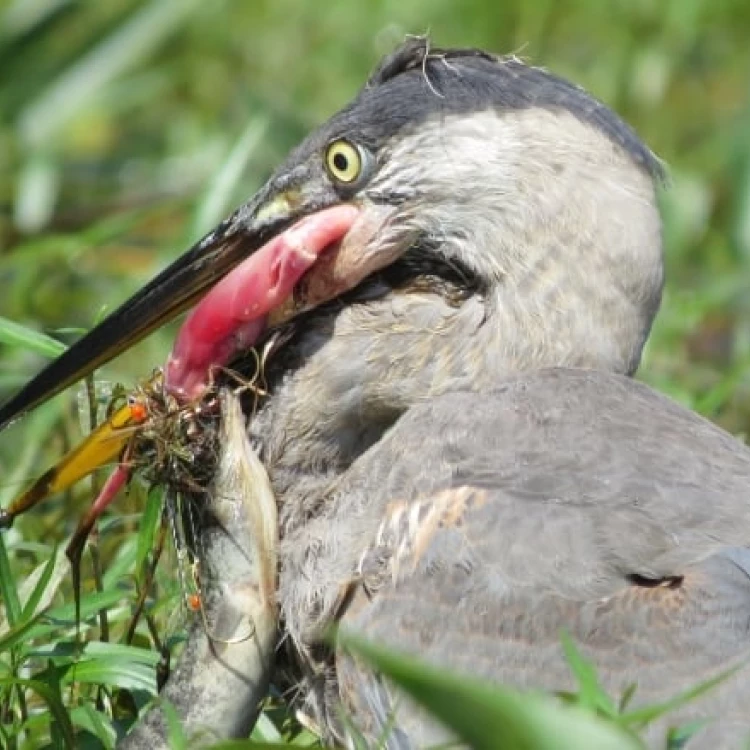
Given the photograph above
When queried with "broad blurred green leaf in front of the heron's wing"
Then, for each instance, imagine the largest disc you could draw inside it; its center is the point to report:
(486, 716)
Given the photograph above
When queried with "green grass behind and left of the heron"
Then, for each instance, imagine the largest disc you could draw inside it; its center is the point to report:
(128, 128)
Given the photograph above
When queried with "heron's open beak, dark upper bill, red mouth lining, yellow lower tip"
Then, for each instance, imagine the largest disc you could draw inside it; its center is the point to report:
(247, 267)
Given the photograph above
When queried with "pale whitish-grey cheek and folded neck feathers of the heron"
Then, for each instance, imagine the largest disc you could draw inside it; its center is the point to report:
(561, 226)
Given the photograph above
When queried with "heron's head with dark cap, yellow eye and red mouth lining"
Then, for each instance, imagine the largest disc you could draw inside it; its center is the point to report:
(451, 166)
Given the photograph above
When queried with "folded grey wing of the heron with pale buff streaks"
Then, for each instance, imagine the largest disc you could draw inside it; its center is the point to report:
(570, 500)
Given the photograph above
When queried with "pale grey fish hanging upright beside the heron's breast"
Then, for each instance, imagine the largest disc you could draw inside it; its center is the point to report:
(224, 671)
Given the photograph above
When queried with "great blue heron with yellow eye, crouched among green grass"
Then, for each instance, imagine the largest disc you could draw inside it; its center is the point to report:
(465, 223)
